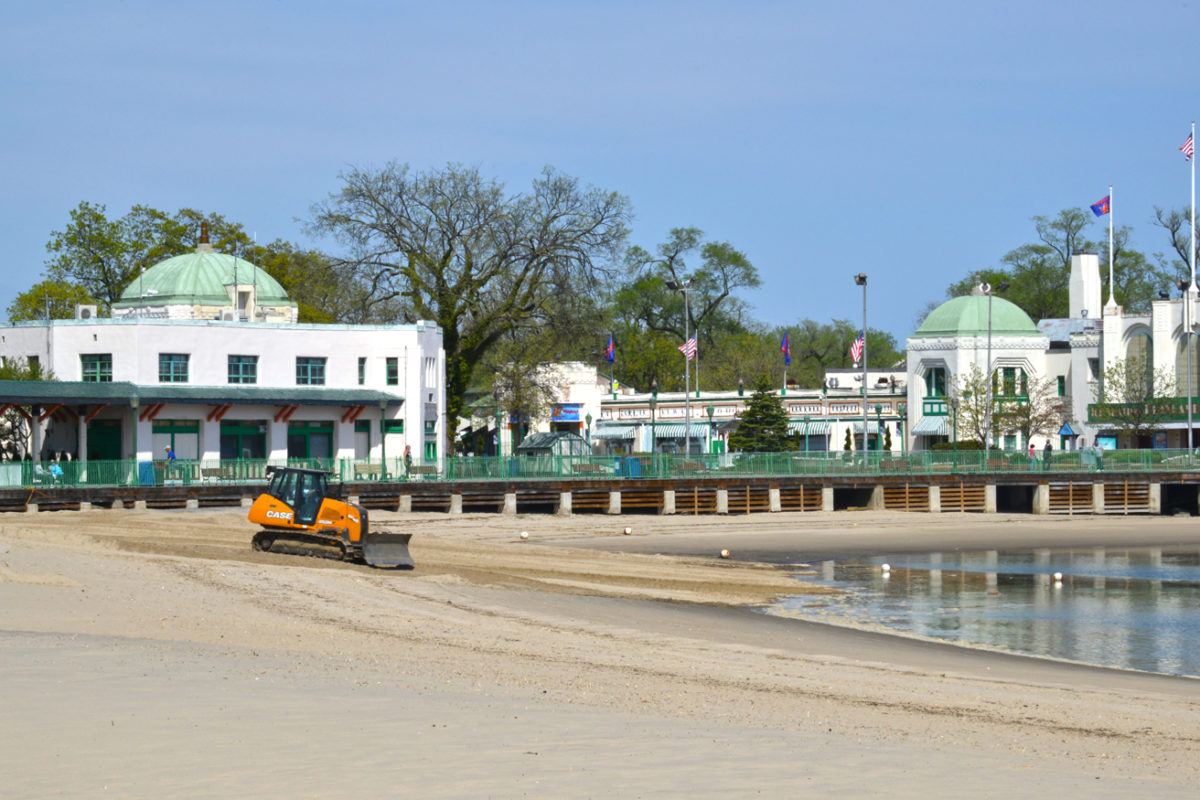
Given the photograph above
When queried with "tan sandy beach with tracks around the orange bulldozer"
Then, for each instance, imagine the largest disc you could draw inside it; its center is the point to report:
(153, 654)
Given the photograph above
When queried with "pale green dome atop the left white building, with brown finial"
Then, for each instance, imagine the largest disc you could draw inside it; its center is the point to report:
(201, 279)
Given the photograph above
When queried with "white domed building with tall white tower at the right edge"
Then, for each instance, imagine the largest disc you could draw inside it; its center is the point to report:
(1075, 353)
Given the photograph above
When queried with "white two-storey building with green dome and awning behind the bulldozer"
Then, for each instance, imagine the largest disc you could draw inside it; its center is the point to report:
(203, 356)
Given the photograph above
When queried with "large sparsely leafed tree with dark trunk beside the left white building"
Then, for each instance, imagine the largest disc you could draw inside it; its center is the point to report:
(454, 248)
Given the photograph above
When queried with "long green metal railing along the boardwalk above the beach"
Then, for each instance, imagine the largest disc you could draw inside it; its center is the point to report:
(646, 466)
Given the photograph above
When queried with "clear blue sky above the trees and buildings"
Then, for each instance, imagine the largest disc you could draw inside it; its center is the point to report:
(909, 141)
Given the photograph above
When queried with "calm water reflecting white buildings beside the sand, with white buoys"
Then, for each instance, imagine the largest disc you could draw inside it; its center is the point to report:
(1130, 609)
